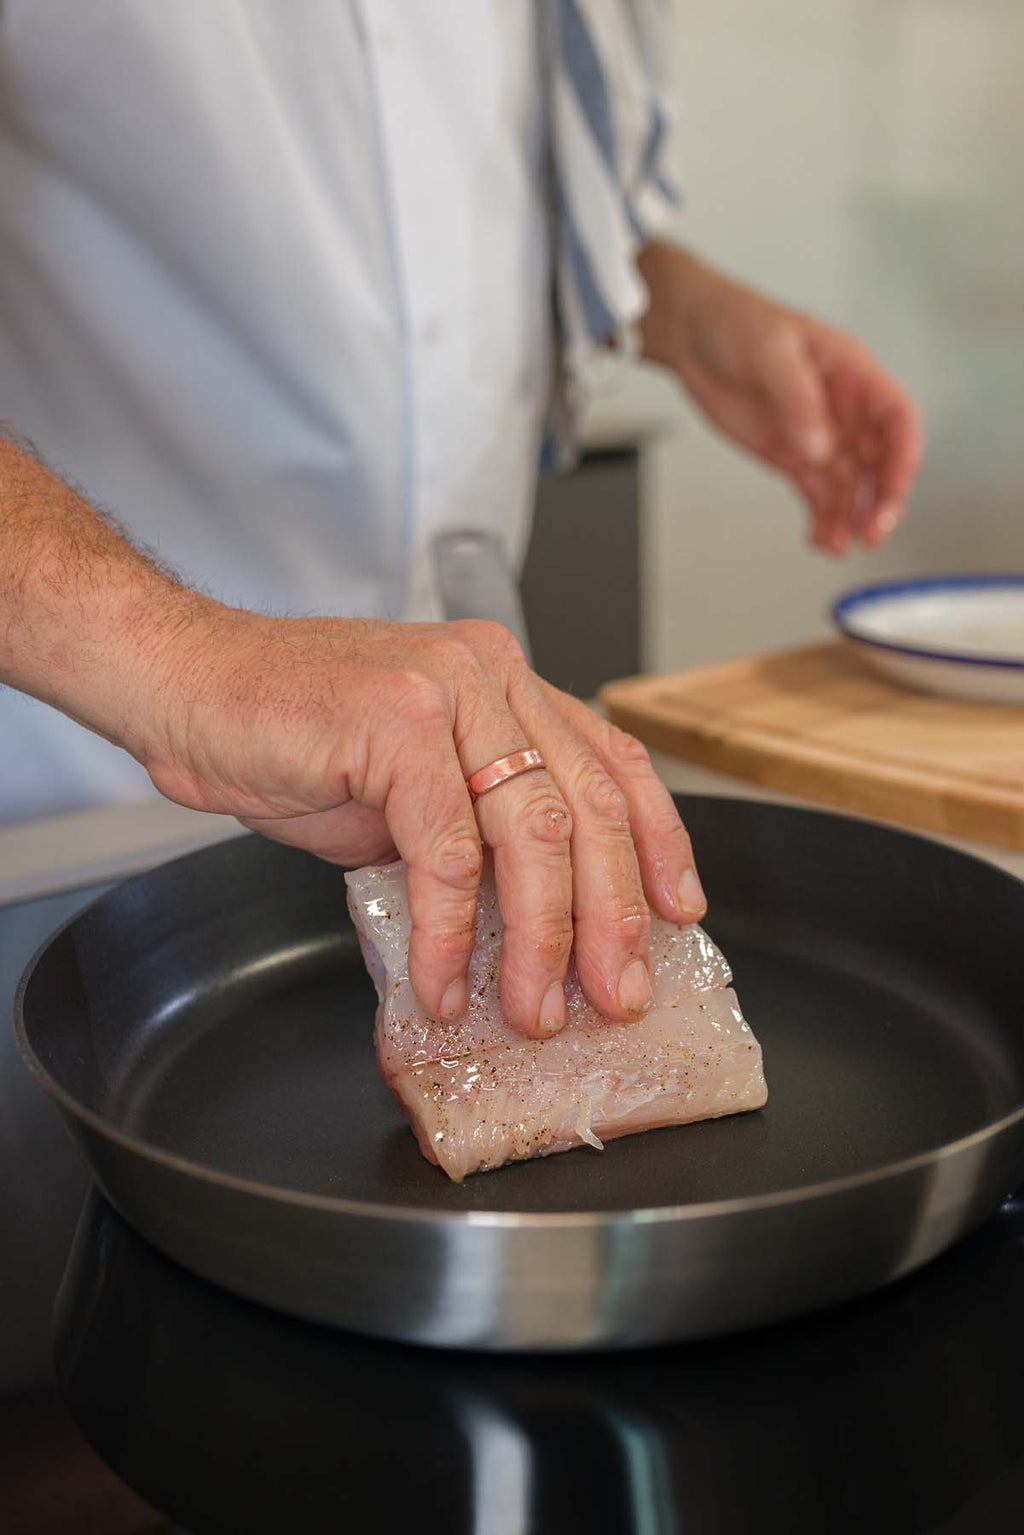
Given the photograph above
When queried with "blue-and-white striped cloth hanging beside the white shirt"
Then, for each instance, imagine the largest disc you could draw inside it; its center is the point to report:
(610, 120)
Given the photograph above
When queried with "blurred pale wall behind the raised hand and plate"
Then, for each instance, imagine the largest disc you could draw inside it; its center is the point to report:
(864, 159)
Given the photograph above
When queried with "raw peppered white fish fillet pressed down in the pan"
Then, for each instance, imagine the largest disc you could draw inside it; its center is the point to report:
(480, 1094)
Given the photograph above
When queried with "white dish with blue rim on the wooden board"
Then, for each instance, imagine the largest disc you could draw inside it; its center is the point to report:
(962, 636)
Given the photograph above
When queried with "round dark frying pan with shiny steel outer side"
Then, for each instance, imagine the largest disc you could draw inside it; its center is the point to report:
(206, 1032)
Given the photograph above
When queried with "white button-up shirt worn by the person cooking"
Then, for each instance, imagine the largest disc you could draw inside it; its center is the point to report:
(276, 291)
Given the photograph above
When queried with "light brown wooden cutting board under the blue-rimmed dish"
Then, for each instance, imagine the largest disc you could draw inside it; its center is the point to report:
(819, 725)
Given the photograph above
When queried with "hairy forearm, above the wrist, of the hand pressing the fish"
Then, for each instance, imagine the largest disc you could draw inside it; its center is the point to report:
(85, 618)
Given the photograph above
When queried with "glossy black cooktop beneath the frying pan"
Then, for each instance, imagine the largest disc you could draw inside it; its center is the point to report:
(136, 1398)
